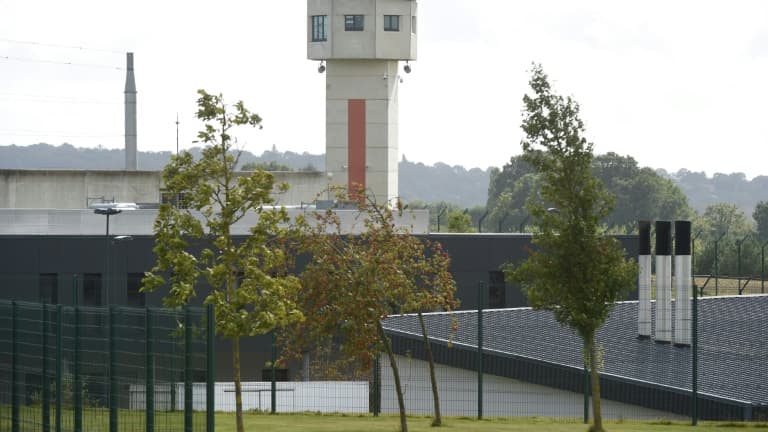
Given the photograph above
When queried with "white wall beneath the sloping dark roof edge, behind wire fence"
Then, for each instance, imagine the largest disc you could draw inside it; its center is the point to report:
(502, 397)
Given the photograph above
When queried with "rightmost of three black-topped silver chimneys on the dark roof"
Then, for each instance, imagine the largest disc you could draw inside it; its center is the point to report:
(683, 286)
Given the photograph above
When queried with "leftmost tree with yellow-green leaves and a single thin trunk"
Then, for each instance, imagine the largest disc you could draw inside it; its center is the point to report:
(249, 284)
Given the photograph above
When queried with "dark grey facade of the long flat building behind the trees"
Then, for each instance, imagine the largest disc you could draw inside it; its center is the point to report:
(24, 258)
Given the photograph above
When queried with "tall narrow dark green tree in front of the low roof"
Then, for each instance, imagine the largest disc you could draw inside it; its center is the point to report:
(575, 270)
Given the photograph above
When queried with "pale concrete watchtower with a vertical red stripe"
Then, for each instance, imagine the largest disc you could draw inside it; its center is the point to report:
(360, 44)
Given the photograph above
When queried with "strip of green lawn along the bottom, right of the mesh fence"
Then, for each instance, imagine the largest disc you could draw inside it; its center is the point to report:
(388, 423)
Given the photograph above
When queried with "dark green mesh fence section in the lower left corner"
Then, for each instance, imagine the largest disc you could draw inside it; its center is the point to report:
(65, 368)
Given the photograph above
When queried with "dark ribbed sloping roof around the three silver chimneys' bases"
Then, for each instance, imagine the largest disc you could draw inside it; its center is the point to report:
(732, 345)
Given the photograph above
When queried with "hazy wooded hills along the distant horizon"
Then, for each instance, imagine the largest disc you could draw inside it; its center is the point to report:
(439, 182)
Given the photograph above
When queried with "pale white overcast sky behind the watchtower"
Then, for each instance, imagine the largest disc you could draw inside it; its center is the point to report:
(674, 84)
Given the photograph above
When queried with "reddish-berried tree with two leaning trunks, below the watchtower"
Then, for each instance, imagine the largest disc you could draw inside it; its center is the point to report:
(353, 282)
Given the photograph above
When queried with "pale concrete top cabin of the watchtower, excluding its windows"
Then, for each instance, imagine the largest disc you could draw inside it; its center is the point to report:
(371, 43)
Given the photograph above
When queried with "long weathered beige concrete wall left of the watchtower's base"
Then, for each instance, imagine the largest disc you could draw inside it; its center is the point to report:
(75, 189)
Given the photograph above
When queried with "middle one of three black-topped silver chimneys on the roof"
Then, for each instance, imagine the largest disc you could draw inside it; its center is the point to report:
(663, 330)
